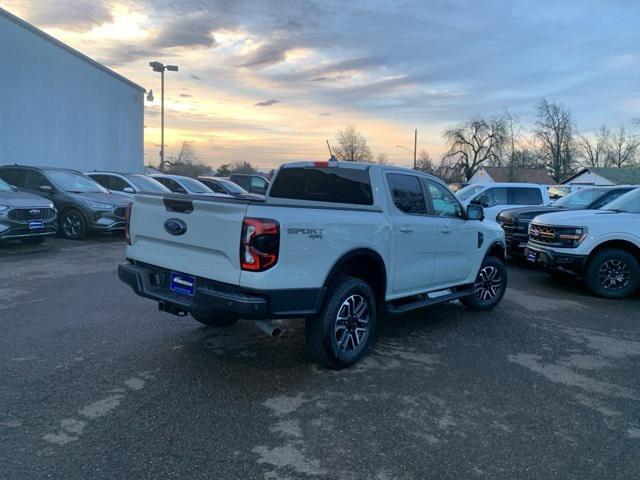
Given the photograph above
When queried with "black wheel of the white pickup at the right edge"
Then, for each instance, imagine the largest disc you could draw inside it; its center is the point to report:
(612, 273)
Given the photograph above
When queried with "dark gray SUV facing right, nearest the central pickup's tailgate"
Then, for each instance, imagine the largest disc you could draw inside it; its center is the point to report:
(83, 205)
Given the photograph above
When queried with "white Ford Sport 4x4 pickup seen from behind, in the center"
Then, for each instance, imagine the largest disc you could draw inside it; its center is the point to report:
(333, 243)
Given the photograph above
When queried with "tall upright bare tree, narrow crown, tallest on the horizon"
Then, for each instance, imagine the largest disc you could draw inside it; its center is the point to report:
(554, 129)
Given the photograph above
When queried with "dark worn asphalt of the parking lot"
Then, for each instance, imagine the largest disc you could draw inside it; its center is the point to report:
(96, 383)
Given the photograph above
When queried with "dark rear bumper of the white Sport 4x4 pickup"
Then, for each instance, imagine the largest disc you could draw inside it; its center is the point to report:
(215, 297)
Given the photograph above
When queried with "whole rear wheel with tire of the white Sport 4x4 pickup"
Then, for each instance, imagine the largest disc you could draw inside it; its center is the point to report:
(340, 335)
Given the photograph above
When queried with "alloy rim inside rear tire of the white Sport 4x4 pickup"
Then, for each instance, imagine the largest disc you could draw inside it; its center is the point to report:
(352, 324)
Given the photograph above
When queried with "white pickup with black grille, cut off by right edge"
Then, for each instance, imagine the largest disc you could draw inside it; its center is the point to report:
(601, 246)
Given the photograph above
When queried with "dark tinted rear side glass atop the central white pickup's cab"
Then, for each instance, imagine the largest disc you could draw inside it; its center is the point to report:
(330, 184)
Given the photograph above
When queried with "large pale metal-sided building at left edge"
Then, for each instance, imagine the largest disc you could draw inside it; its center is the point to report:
(60, 108)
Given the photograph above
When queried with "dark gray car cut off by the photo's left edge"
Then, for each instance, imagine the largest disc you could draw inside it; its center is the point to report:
(24, 216)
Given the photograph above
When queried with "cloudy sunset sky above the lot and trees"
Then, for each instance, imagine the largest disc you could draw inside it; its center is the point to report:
(270, 81)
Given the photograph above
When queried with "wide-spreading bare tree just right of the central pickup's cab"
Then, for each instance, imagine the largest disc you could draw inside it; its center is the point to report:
(474, 143)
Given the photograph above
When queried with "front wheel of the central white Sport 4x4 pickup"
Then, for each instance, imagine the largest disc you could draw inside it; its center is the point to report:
(490, 285)
